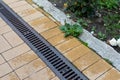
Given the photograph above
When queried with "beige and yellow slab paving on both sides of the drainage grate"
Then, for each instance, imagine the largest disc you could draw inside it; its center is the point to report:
(19, 62)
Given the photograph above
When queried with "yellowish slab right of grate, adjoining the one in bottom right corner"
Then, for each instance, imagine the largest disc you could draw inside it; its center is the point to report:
(97, 69)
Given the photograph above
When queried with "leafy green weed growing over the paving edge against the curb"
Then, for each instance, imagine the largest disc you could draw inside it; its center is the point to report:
(71, 30)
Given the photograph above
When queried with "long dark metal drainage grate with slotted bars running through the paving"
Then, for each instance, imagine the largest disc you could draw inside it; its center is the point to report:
(53, 58)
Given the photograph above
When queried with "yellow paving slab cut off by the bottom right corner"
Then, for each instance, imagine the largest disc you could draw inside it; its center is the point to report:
(112, 74)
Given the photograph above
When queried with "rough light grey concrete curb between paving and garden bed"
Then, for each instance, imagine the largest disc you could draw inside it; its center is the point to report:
(100, 47)
